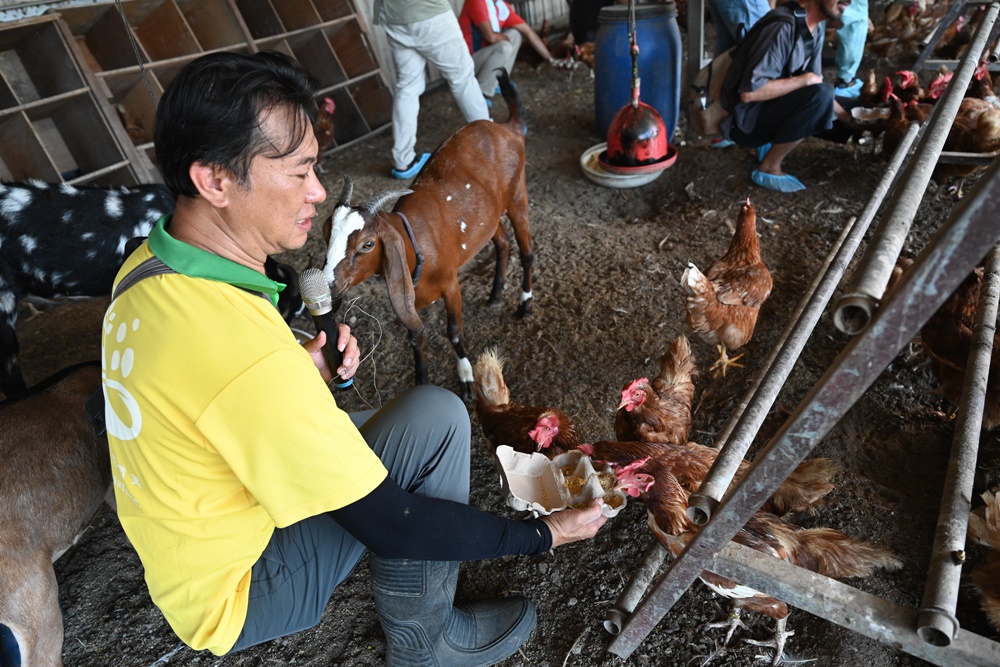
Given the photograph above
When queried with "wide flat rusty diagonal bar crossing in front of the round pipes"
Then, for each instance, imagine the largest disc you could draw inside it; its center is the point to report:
(954, 250)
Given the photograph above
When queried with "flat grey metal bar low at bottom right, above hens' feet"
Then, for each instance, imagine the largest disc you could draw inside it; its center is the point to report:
(849, 607)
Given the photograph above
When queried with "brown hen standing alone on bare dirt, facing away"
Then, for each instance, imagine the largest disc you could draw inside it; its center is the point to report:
(723, 304)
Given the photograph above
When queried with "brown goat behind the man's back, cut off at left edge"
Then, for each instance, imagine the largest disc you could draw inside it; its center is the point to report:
(55, 474)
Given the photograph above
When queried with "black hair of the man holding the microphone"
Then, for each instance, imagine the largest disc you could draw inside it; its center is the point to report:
(212, 113)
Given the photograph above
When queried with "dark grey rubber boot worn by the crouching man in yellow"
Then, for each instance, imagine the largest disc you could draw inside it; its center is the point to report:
(424, 628)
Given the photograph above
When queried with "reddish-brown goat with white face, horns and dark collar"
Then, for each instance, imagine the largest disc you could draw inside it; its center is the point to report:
(455, 206)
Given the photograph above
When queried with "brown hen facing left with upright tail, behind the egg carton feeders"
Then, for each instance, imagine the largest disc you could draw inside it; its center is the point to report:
(660, 411)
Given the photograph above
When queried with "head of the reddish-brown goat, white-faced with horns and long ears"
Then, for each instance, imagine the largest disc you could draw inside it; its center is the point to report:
(360, 244)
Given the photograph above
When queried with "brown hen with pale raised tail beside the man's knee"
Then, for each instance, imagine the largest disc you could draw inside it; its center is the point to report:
(526, 428)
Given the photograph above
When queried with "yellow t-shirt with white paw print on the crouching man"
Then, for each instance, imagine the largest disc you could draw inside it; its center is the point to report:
(220, 429)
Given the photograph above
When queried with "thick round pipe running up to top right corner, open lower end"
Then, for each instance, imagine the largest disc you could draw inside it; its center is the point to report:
(861, 299)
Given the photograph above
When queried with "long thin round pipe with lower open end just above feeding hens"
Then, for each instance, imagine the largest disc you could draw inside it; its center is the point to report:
(743, 425)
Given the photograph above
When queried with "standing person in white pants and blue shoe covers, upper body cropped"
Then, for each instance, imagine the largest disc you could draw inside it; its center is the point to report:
(422, 31)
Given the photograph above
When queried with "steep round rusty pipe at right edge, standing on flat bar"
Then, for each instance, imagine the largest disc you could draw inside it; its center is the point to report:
(937, 624)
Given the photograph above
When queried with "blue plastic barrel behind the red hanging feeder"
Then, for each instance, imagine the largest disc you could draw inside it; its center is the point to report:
(659, 41)
